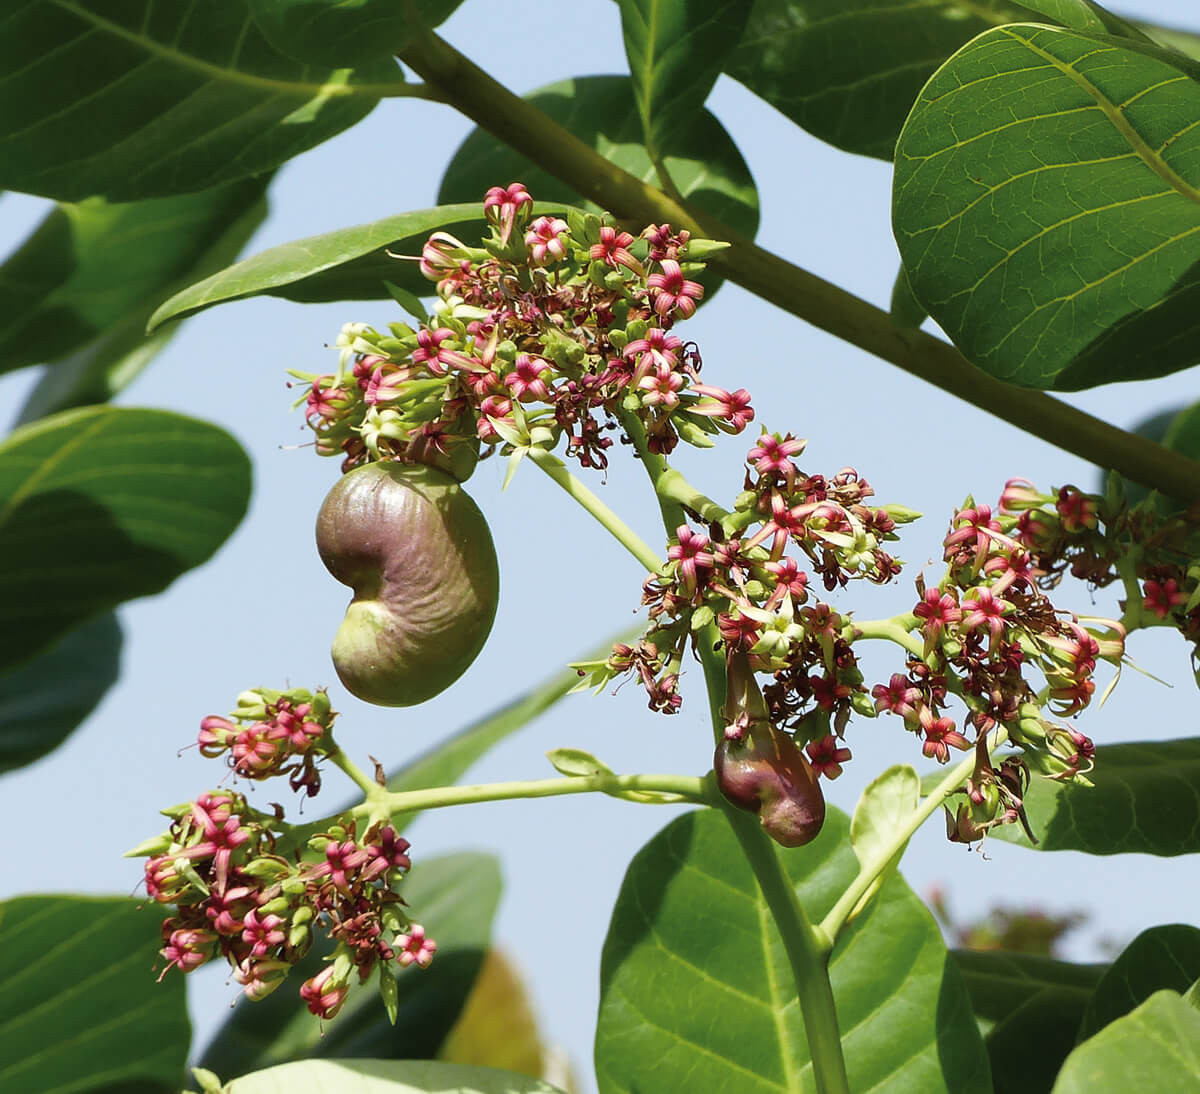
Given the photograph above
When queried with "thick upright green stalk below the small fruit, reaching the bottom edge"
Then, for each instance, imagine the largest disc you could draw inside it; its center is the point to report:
(807, 948)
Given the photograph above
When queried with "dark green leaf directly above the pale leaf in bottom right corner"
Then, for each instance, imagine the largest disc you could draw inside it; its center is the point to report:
(1162, 958)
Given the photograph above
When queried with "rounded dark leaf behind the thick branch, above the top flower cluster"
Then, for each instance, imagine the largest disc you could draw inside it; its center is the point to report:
(701, 158)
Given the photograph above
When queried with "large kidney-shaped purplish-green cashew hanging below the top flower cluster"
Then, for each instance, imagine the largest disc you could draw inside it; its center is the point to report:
(418, 554)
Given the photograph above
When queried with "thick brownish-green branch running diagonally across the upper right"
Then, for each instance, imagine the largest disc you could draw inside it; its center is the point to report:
(524, 128)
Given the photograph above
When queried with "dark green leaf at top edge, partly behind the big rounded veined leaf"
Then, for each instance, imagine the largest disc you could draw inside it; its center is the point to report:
(849, 71)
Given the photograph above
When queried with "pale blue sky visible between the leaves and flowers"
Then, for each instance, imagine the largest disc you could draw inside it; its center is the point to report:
(265, 611)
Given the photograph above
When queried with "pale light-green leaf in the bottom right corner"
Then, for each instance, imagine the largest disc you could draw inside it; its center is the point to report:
(1157, 1048)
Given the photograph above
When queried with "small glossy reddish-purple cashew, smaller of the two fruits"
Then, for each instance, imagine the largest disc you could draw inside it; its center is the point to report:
(765, 773)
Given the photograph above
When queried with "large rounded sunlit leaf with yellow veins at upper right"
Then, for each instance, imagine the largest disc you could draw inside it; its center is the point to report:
(1047, 207)
